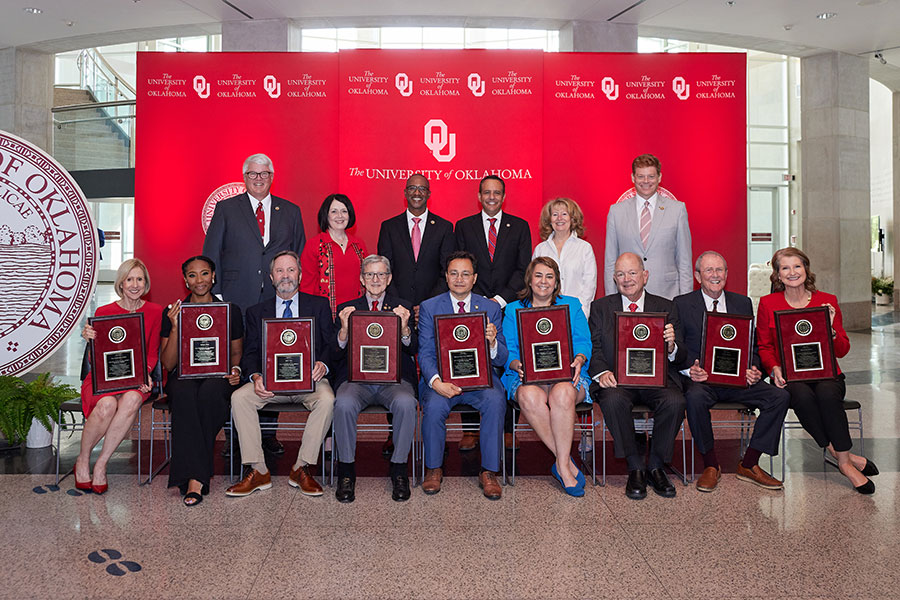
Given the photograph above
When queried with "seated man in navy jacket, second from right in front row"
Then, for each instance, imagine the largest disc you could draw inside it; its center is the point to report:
(711, 271)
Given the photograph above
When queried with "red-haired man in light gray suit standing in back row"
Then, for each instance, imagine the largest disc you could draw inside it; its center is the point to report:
(655, 228)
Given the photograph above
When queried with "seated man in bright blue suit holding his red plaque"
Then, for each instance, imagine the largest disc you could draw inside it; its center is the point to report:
(457, 369)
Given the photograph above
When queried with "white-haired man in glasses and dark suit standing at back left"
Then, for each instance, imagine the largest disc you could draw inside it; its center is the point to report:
(245, 233)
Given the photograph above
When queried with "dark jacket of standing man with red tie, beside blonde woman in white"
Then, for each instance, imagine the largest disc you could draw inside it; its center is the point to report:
(505, 275)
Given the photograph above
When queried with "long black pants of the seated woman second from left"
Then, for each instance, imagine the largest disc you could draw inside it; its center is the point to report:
(199, 409)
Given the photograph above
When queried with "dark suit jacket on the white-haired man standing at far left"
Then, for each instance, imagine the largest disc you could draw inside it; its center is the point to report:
(234, 243)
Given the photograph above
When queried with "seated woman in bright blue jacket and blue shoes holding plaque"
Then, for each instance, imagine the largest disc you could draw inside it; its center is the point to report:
(557, 357)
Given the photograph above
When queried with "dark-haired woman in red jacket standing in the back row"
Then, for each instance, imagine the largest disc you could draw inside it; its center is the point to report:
(331, 261)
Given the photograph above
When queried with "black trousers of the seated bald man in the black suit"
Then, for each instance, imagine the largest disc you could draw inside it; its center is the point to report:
(667, 405)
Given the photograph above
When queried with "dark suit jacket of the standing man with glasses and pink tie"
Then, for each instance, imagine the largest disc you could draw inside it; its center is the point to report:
(416, 280)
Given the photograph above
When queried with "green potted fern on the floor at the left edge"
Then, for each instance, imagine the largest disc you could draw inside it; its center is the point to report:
(23, 405)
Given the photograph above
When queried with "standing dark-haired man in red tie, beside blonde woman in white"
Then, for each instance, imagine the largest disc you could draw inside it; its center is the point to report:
(501, 244)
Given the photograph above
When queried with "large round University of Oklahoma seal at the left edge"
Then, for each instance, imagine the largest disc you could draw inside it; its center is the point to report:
(48, 255)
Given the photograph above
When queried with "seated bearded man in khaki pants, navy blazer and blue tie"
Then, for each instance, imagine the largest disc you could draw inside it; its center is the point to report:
(246, 400)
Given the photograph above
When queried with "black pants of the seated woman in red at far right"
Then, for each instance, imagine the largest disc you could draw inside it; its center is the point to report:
(819, 406)
